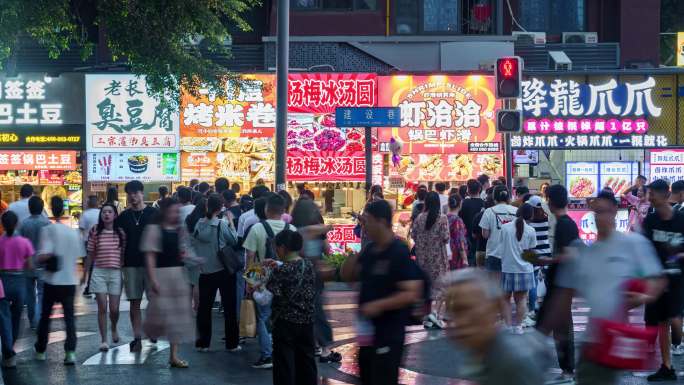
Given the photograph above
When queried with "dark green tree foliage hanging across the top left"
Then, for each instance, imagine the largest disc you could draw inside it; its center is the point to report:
(153, 37)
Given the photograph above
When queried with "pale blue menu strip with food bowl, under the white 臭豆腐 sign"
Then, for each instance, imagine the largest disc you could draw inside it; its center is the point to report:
(120, 167)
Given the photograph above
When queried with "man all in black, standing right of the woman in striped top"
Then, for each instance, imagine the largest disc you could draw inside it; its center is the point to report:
(133, 221)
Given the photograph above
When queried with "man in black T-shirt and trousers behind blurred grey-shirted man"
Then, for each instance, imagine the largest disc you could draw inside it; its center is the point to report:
(566, 233)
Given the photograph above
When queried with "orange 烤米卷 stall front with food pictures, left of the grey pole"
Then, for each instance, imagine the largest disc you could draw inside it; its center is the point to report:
(231, 137)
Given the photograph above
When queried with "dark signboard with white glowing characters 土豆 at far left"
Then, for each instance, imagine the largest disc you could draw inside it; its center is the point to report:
(38, 111)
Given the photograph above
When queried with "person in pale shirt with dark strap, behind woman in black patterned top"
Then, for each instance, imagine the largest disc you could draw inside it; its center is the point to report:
(258, 247)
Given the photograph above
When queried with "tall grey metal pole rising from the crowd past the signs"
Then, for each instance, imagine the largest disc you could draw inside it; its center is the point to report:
(282, 62)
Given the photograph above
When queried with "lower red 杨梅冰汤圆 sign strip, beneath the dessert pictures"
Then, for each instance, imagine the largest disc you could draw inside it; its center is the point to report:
(326, 166)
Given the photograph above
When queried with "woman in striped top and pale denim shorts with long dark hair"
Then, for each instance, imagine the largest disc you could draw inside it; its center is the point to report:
(106, 244)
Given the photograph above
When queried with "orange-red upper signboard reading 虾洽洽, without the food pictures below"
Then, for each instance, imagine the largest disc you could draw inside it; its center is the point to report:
(439, 114)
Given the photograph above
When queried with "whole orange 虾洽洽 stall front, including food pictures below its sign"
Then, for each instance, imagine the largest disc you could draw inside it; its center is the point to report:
(447, 131)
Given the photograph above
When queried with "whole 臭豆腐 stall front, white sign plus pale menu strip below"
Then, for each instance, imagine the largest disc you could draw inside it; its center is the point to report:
(129, 136)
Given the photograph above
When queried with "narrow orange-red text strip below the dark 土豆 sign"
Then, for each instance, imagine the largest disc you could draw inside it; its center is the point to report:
(38, 160)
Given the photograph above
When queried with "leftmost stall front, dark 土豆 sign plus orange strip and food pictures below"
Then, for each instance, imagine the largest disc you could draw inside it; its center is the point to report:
(41, 131)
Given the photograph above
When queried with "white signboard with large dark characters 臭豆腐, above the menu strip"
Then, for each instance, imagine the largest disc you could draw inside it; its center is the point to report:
(121, 116)
